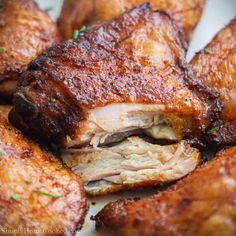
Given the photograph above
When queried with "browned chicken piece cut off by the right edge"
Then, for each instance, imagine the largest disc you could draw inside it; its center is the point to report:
(215, 66)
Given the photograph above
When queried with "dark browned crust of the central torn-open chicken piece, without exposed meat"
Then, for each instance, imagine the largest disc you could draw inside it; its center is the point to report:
(102, 67)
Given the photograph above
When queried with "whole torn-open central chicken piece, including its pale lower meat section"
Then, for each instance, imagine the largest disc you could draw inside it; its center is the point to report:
(127, 77)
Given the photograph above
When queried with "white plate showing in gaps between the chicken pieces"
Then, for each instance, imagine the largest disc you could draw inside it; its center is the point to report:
(217, 13)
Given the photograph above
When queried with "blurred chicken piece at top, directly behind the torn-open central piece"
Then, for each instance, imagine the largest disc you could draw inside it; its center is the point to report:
(75, 14)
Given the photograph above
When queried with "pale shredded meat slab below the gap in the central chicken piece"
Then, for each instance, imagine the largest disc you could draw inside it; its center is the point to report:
(132, 163)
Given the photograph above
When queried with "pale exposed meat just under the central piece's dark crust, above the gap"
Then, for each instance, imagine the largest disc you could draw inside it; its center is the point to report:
(114, 122)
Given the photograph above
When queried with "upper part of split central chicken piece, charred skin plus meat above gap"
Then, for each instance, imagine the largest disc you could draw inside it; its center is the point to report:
(124, 77)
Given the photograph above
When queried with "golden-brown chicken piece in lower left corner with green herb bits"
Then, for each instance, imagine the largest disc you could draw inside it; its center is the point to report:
(27, 175)
